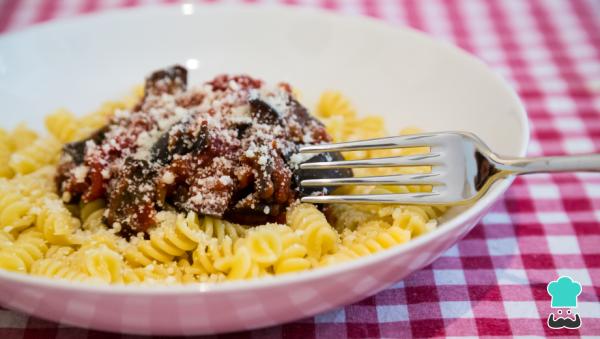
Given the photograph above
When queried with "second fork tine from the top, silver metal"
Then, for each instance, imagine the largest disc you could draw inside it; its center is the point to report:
(411, 160)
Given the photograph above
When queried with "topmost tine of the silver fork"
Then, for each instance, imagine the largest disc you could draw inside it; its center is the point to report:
(413, 140)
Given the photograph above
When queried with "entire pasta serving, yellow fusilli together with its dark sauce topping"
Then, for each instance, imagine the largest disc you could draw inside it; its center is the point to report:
(111, 198)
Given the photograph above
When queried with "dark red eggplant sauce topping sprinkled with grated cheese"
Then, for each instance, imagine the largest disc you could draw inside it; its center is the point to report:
(226, 149)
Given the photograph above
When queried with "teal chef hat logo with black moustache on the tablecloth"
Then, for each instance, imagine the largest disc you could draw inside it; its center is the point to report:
(564, 292)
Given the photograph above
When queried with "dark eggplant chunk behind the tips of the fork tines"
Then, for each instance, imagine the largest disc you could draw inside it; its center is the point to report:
(301, 174)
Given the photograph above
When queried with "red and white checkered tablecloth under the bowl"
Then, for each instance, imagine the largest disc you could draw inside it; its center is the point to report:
(493, 283)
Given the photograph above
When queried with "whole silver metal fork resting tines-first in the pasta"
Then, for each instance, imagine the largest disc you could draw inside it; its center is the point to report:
(463, 168)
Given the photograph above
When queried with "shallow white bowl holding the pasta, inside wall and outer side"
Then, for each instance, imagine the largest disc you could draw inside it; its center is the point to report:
(408, 78)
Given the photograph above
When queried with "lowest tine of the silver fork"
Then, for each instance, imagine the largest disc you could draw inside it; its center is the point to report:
(402, 198)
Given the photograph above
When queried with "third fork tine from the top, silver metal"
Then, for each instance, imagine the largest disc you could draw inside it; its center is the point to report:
(401, 179)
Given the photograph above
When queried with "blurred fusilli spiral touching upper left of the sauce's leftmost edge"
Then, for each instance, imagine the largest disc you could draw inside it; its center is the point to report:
(40, 153)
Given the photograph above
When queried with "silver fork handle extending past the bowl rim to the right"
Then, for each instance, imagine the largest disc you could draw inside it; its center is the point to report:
(571, 163)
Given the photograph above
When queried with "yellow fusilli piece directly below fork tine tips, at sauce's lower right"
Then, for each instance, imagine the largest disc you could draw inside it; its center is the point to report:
(318, 236)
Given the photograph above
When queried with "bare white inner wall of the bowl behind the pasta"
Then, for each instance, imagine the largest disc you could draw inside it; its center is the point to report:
(409, 79)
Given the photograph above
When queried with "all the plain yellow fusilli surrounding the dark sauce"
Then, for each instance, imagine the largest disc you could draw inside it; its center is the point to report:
(42, 236)
